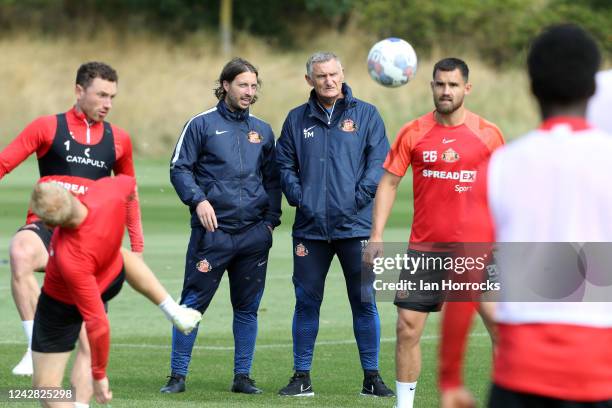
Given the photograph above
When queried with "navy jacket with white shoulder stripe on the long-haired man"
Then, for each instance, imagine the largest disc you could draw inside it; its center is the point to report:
(228, 159)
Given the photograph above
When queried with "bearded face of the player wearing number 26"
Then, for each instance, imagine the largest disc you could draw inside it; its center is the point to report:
(449, 89)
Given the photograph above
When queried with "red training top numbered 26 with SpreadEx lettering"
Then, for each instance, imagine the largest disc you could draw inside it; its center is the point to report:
(444, 162)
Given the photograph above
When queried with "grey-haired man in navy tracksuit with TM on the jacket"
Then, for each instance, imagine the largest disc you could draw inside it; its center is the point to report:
(330, 155)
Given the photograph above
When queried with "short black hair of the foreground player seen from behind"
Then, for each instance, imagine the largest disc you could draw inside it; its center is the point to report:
(562, 63)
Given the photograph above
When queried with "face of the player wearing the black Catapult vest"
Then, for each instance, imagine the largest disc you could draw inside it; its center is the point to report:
(96, 100)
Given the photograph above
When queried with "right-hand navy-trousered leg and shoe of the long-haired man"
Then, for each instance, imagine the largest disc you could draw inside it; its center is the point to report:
(247, 275)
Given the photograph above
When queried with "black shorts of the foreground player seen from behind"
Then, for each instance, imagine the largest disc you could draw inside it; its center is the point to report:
(503, 398)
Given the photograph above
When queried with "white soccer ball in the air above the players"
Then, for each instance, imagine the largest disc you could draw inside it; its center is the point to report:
(392, 62)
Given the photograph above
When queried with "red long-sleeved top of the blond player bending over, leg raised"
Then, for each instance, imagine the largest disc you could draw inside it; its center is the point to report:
(84, 261)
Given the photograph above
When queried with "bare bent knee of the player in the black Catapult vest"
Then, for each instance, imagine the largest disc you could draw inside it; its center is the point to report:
(27, 253)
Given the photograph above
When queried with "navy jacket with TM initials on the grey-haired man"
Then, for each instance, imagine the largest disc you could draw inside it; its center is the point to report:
(330, 166)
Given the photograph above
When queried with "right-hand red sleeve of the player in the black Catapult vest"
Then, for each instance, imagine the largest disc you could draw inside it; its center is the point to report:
(125, 165)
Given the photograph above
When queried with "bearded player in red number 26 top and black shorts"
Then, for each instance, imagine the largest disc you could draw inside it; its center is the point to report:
(444, 148)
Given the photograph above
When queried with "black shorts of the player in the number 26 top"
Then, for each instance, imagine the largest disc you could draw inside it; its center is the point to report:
(428, 295)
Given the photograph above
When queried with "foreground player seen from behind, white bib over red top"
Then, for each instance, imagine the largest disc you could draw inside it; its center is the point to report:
(551, 354)
